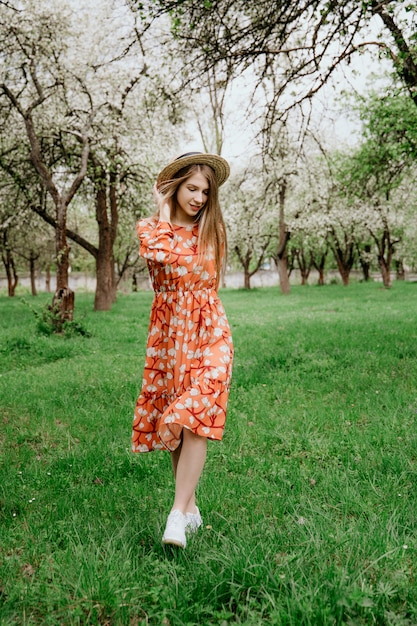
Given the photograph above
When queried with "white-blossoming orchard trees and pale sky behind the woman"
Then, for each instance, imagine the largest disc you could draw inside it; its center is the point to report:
(94, 98)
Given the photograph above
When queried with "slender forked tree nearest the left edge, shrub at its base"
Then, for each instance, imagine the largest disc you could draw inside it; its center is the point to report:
(31, 80)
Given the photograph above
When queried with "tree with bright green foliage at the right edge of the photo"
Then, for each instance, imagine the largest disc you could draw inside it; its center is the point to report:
(372, 174)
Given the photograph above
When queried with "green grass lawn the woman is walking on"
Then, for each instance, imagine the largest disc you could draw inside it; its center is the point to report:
(309, 502)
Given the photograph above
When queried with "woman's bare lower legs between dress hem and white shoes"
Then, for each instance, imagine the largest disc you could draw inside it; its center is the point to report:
(188, 465)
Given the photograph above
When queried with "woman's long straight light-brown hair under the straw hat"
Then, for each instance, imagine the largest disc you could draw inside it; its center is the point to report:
(212, 229)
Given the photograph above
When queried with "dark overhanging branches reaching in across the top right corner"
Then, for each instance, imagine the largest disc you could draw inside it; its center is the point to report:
(301, 43)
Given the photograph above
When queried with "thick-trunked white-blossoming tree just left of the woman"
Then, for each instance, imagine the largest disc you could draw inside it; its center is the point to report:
(95, 77)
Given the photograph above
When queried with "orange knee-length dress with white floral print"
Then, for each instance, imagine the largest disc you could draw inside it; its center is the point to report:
(189, 351)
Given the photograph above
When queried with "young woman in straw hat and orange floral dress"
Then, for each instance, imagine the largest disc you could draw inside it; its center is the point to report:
(189, 351)
